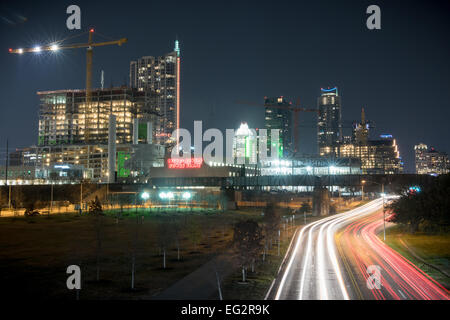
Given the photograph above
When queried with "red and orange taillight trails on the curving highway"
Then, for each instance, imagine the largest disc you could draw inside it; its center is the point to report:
(400, 279)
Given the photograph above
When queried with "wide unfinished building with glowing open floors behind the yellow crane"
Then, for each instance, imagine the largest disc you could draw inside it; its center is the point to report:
(65, 118)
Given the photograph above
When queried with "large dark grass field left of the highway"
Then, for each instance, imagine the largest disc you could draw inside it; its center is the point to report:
(35, 251)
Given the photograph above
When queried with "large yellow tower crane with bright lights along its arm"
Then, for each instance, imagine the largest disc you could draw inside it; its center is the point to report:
(89, 53)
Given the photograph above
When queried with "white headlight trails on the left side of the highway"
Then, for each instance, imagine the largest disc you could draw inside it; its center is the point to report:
(313, 270)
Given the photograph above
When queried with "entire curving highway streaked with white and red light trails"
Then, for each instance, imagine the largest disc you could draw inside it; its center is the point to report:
(329, 260)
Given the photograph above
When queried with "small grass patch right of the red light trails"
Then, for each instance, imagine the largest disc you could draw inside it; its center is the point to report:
(433, 249)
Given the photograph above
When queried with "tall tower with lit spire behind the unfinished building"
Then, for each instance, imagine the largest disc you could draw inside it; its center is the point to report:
(161, 75)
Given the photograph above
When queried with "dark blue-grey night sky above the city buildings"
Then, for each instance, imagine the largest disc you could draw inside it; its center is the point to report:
(245, 50)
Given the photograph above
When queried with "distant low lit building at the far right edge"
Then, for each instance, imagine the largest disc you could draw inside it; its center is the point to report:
(430, 161)
